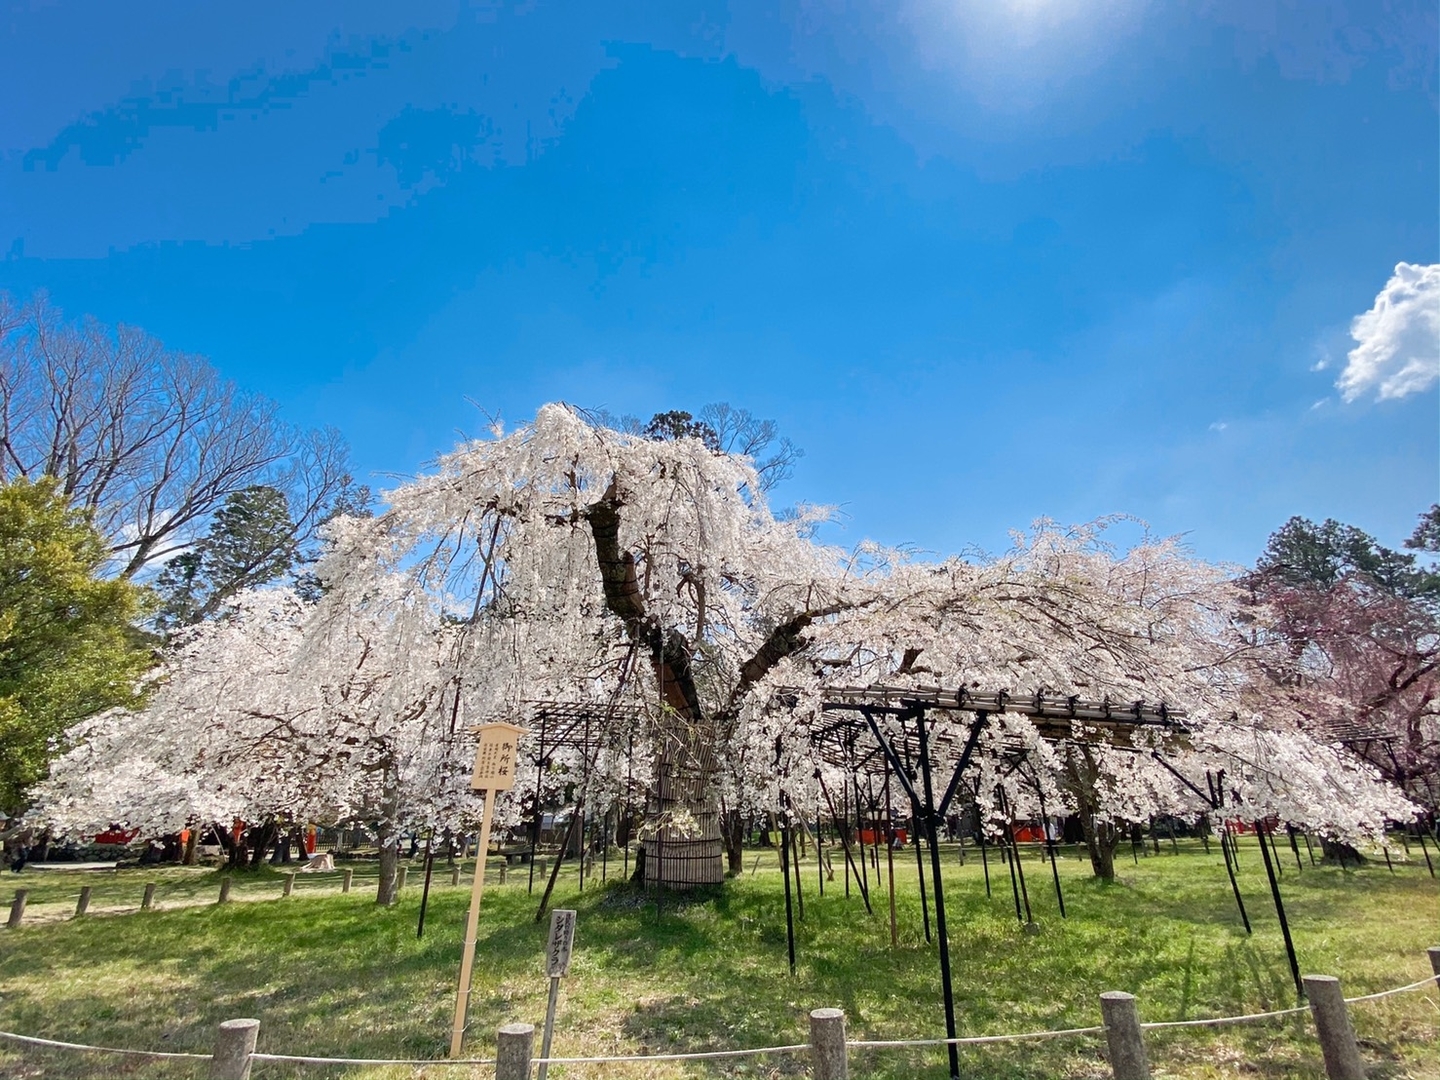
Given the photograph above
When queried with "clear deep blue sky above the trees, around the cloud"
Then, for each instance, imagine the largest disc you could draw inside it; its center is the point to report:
(983, 261)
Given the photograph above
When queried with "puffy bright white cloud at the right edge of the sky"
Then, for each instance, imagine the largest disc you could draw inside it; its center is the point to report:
(1398, 349)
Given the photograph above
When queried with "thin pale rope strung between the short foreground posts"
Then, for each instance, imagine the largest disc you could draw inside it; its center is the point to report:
(711, 1055)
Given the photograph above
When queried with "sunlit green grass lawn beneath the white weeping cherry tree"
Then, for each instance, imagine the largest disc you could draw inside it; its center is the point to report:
(336, 976)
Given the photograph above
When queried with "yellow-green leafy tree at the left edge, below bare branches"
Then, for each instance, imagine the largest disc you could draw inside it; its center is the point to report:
(68, 640)
